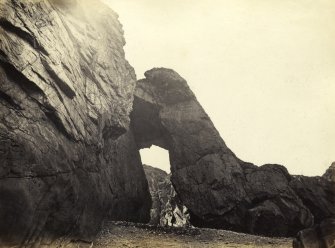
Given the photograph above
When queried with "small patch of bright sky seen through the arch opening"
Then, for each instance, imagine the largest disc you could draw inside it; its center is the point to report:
(157, 157)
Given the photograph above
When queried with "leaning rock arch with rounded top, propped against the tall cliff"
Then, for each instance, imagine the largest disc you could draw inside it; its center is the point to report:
(167, 114)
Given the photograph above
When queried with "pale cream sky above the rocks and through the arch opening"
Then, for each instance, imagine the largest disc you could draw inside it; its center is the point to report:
(264, 71)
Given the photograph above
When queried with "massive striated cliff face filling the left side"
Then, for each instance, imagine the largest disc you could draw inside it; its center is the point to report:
(66, 91)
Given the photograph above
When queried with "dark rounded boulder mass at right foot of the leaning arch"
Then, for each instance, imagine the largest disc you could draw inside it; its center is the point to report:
(273, 201)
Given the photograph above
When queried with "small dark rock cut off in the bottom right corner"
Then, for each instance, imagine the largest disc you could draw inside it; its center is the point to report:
(319, 236)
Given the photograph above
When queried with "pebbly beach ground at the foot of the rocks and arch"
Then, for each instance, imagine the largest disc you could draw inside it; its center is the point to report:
(121, 234)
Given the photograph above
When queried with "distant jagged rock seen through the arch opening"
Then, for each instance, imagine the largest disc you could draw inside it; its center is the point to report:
(167, 209)
